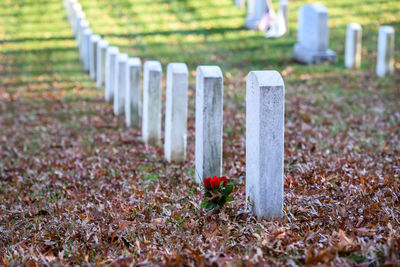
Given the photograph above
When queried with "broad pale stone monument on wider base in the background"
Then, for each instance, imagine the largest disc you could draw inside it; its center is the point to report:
(313, 35)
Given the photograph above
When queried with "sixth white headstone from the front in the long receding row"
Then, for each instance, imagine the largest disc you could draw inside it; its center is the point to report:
(121, 74)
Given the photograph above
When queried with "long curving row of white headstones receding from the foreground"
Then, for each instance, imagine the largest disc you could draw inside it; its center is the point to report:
(121, 77)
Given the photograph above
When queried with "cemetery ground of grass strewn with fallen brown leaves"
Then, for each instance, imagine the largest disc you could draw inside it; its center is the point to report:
(77, 186)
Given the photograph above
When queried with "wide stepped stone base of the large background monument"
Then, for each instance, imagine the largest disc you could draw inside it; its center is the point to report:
(308, 56)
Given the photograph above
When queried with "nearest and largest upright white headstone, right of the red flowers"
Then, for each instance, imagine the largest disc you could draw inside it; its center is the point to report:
(265, 92)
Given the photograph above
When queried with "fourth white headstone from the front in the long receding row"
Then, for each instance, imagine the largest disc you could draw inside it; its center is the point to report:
(151, 121)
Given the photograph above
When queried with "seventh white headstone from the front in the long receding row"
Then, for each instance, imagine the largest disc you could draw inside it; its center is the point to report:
(111, 62)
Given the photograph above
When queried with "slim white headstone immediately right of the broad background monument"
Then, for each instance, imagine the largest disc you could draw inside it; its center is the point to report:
(352, 58)
